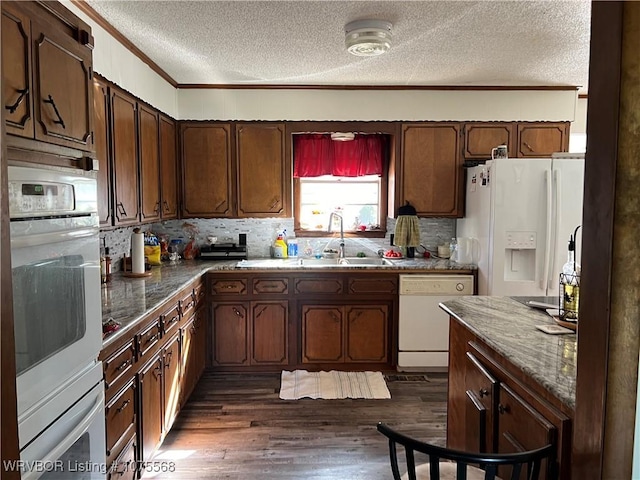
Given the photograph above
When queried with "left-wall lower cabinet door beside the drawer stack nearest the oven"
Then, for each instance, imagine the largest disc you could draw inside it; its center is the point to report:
(151, 393)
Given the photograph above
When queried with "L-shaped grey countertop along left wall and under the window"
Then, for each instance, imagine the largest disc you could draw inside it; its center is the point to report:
(127, 300)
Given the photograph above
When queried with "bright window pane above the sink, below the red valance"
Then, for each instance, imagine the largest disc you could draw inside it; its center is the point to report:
(356, 199)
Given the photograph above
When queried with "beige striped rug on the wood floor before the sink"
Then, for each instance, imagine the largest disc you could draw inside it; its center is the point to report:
(332, 385)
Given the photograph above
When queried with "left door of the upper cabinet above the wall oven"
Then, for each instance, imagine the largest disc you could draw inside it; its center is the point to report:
(16, 71)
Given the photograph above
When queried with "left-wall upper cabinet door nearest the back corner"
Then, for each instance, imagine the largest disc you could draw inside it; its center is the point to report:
(168, 169)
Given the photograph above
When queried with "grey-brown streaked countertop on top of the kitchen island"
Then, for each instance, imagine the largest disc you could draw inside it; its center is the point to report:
(508, 327)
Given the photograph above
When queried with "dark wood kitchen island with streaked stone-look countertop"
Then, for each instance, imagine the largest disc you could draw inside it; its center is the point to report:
(511, 386)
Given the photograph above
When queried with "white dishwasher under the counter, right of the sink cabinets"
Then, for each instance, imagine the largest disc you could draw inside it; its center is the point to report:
(423, 330)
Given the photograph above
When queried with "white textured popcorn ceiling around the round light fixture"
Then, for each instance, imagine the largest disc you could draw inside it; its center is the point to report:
(302, 42)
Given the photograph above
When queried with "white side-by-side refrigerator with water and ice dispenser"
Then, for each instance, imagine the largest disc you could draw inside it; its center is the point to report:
(520, 214)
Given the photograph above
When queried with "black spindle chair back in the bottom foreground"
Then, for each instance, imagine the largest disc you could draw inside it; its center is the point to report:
(467, 464)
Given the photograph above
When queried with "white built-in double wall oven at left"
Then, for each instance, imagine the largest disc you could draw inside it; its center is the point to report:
(57, 322)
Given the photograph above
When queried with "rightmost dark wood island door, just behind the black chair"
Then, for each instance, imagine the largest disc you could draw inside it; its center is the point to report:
(520, 426)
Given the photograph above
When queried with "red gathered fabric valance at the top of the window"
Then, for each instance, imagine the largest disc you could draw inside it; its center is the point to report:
(315, 154)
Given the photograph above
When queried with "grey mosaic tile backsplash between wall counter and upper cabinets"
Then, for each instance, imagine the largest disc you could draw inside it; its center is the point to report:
(261, 232)
